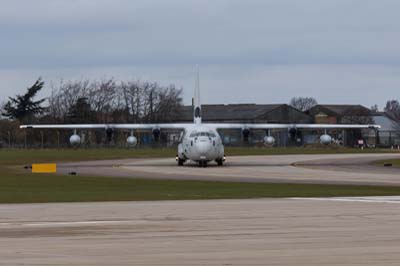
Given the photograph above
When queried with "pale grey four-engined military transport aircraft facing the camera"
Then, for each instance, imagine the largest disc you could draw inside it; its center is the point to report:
(200, 142)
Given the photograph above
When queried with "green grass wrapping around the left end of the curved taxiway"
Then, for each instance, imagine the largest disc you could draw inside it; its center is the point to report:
(18, 186)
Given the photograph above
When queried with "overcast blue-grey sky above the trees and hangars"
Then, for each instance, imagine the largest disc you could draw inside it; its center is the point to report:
(338, 51)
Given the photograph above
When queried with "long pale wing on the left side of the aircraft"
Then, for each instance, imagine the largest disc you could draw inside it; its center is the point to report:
(109, 126)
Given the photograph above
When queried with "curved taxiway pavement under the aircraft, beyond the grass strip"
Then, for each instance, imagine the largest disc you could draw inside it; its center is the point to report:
(332, 168)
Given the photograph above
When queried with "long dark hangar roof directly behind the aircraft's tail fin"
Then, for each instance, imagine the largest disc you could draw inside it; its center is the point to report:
(278, 113)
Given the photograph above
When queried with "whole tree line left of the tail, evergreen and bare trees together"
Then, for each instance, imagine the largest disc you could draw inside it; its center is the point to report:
(86, 101)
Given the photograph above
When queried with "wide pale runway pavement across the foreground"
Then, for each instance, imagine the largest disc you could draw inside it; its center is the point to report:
(340, 231)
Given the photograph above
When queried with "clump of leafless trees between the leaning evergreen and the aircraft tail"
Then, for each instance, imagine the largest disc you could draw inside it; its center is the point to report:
(115, 102)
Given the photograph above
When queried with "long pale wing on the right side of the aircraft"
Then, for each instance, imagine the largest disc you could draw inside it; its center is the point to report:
(289, 126)
